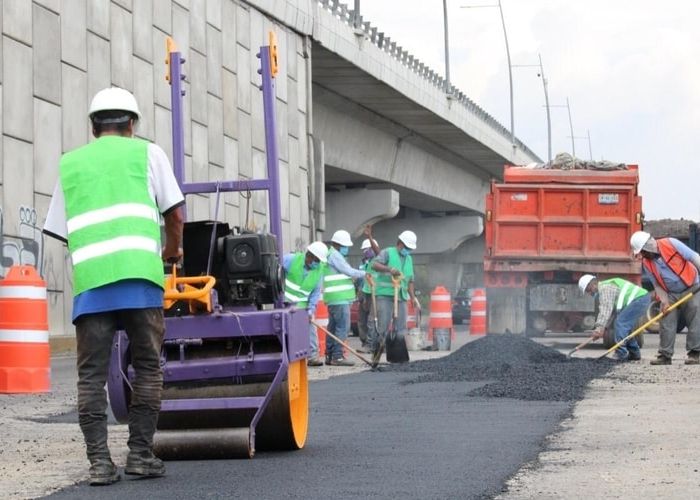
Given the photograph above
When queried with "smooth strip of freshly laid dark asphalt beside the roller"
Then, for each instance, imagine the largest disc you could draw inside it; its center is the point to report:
(372, 437)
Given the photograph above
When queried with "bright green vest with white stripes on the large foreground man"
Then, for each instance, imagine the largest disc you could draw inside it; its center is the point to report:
(112, 221)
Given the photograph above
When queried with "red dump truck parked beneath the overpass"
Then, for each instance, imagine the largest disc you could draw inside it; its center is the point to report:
(544, 229)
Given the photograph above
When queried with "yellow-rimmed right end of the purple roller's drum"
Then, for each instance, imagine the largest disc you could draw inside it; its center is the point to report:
(285, 423)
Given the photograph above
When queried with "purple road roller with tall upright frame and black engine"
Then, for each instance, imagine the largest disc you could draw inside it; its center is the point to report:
(234, 354)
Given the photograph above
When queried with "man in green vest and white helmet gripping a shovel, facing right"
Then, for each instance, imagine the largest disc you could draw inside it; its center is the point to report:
(393, 263)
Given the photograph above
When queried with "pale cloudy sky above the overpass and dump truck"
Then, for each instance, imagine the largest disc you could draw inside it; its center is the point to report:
(629, 68)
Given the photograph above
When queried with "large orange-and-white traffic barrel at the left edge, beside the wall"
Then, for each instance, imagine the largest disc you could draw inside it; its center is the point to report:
(25, 359)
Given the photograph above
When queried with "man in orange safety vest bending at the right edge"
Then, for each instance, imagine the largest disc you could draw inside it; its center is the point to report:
(672, 267)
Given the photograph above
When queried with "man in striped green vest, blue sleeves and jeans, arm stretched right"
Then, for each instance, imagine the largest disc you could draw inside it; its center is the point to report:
(338, 294)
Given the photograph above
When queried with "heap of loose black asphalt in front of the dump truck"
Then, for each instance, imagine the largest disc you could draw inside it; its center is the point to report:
(514, 367)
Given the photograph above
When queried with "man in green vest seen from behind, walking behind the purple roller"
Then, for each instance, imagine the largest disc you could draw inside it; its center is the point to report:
(106, 205)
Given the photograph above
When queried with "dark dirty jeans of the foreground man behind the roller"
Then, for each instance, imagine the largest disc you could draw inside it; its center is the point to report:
(94, 336)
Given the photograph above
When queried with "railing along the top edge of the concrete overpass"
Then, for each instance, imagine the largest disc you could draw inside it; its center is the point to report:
(342, 12)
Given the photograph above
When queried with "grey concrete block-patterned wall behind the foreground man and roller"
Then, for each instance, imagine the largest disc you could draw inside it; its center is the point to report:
(55, 55)
